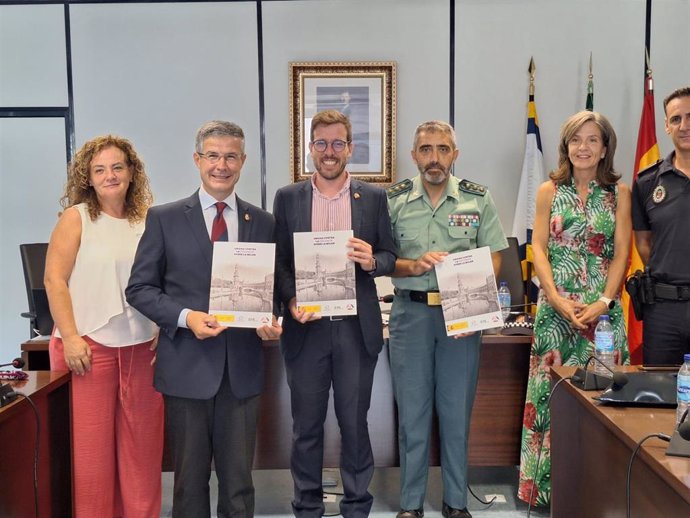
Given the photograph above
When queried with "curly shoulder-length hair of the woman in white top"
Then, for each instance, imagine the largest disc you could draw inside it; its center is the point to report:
(78, 189)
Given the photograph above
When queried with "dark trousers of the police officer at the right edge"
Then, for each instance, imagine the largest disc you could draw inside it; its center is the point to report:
(666, 332)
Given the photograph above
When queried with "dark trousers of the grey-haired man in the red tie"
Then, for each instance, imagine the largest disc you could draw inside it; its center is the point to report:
(223, 430)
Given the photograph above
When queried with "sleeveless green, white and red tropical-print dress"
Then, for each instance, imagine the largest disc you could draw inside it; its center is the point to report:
(580, 249)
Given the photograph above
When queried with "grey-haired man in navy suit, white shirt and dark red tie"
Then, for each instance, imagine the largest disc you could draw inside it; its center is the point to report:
(210, 376)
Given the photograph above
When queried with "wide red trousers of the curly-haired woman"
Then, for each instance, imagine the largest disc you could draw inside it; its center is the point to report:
(117, 432)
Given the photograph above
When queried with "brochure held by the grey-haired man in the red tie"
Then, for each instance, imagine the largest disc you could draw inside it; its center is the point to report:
(242, 283)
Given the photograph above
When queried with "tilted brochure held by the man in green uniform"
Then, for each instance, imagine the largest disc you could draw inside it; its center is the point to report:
(469, 297)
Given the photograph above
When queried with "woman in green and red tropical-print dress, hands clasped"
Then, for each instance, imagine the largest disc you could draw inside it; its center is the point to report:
(581, 240)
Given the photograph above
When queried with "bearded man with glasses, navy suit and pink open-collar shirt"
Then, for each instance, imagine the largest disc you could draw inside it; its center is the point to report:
(341, 353)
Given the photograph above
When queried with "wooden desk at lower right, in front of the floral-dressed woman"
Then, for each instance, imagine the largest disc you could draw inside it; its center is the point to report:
(591, 445)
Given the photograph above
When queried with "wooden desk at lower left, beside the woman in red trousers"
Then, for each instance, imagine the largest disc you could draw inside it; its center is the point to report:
(50, 393)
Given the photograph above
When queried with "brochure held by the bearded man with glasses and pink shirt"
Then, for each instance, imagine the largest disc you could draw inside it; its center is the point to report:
(324, 276)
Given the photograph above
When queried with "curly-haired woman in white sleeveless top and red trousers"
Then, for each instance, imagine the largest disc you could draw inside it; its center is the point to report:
(117, 416)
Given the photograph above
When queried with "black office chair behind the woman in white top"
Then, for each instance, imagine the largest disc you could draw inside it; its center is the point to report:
(34, 264)
